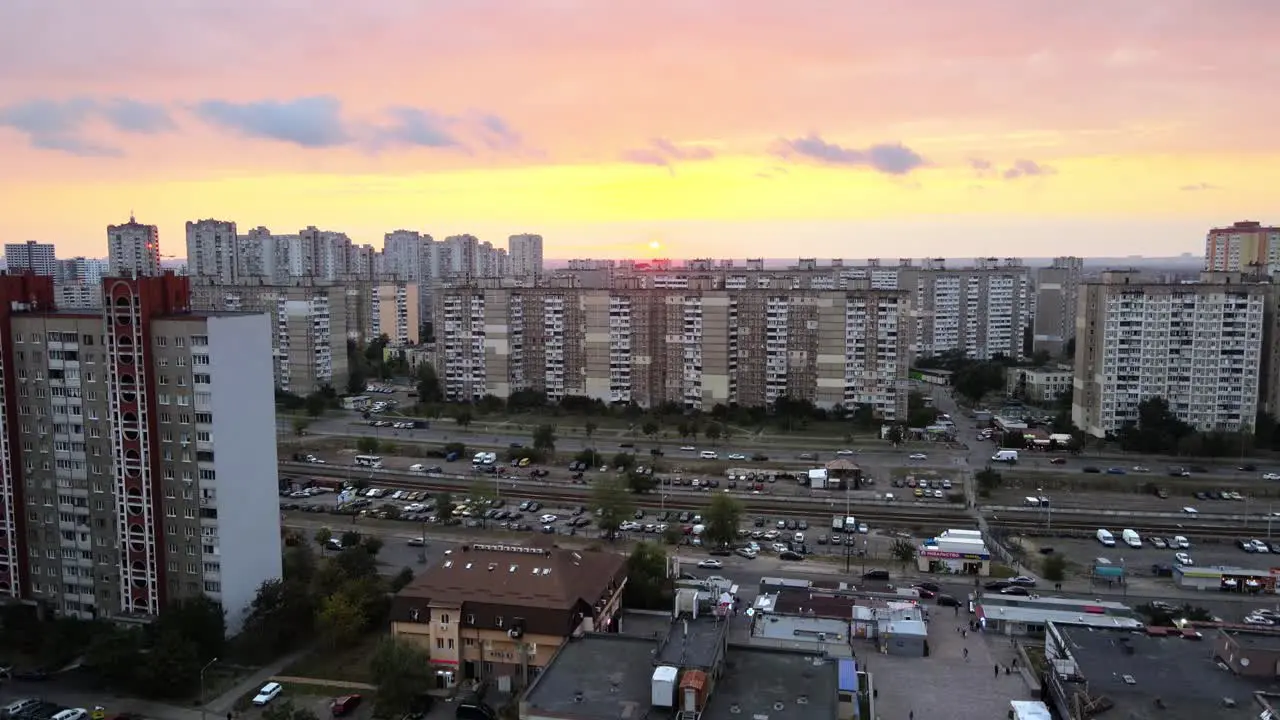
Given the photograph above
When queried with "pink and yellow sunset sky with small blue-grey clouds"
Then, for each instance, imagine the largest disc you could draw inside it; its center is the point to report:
(627, 129)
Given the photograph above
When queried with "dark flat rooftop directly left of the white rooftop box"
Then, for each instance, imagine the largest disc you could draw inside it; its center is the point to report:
(606, 677)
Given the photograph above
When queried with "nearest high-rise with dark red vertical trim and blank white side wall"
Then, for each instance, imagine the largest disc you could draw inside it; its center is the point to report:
(140, 452)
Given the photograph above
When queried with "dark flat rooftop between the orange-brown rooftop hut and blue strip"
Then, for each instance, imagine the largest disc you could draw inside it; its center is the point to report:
(778, 685)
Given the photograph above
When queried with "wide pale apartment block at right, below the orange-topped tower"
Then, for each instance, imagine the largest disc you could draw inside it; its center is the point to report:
(1196, 345)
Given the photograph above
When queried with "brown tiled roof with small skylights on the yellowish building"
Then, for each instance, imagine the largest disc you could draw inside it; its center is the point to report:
(519, 576)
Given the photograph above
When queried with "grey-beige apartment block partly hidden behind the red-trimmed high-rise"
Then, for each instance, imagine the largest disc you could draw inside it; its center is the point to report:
(309, 323)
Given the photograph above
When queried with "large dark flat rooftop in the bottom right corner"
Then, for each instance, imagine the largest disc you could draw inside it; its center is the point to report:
(1181, 673)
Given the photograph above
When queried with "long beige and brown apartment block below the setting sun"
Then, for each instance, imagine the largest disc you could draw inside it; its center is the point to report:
(698, 347)
